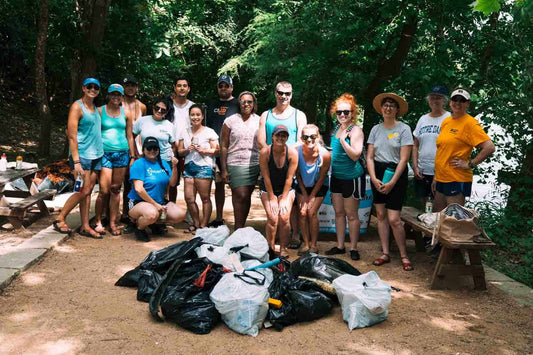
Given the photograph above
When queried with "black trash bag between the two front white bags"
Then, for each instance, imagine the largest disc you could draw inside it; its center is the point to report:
(302, 300)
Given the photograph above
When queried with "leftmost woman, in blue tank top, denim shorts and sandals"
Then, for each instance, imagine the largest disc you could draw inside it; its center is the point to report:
(85, 144)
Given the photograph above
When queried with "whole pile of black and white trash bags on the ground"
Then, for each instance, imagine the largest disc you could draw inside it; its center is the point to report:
(221, 277)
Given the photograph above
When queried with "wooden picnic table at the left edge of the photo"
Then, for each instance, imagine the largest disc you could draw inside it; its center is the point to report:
(17, 211)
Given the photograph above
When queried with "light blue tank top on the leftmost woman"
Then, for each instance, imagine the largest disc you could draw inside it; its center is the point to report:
(90, 134)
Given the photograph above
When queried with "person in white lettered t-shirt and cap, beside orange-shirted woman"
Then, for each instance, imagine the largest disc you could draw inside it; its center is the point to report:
(425, 148)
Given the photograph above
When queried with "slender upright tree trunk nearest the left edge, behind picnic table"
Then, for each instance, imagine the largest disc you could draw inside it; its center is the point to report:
(40, 81)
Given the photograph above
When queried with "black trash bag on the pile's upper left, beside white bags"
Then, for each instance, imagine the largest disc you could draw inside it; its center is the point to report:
(161, 260)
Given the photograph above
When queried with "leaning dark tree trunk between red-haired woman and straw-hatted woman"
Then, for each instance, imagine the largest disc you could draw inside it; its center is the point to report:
(388, 68)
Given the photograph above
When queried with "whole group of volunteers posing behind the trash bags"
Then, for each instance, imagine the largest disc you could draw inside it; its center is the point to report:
(118, 143)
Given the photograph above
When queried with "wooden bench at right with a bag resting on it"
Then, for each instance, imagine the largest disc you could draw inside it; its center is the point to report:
(475, 268)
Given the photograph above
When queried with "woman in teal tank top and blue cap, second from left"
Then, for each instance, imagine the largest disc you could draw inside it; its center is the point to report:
(117, 140)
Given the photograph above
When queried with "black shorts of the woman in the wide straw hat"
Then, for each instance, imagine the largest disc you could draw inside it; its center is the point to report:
(396, 197)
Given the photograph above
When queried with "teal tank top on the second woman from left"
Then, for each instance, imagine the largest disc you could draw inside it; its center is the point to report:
(114, 132)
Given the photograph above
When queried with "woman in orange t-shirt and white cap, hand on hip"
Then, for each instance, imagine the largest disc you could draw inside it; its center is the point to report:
(459, 134)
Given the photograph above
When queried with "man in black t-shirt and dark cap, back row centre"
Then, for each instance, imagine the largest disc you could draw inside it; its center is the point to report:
(217, 111)
